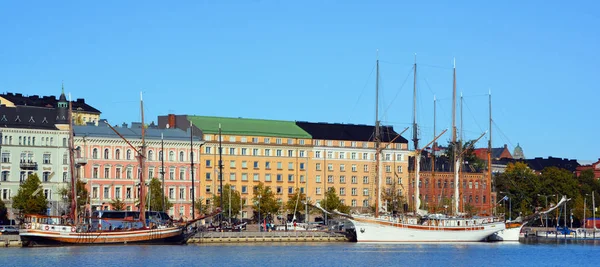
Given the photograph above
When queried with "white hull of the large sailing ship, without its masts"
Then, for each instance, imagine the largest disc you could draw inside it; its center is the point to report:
(375, 231)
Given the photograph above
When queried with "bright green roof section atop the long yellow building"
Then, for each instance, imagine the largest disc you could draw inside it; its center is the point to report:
(250, 127)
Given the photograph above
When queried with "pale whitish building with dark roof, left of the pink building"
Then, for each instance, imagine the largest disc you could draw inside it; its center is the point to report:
(33, 141)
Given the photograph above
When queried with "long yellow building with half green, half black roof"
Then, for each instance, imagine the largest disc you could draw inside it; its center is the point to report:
(288, 156)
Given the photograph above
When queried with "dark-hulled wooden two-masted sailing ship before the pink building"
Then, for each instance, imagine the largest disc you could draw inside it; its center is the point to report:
(43, 230)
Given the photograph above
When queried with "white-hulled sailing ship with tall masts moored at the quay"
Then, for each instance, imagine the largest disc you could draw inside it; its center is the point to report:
(420, 227)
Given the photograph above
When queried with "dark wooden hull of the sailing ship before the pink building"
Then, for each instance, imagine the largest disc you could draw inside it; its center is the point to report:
(172, 235)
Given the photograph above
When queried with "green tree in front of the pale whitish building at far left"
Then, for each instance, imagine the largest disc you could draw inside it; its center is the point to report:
(30, 199)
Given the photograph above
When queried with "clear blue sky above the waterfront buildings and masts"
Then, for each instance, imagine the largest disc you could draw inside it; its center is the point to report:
(314, 61)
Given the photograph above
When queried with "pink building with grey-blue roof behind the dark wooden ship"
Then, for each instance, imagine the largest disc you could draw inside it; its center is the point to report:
(109, 167)
